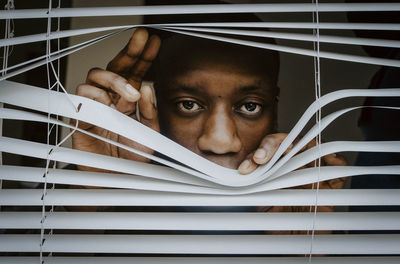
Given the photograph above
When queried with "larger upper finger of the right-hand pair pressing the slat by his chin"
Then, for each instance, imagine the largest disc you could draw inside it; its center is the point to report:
(268, 147)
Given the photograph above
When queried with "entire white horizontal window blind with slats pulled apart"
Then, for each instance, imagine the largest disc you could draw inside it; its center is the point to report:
(186, 179)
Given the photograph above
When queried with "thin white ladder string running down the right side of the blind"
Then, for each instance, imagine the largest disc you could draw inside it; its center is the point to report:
(317, 69)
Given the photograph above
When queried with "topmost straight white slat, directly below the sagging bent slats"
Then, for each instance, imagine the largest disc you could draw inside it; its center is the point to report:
(295, 197)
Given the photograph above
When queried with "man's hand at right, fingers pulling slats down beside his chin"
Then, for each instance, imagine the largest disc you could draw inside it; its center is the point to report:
(270, 144)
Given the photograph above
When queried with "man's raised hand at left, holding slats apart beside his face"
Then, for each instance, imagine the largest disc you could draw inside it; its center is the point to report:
(120, 88)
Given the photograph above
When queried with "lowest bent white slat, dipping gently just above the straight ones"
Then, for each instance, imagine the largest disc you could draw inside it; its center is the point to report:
(129, 181)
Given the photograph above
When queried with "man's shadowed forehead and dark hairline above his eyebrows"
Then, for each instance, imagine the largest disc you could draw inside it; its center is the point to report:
(180, 55)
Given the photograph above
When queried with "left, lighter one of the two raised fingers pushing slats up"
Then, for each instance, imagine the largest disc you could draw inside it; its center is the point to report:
(129, 55)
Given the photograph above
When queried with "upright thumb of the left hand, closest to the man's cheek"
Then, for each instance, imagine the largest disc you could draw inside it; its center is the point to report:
(147, 108)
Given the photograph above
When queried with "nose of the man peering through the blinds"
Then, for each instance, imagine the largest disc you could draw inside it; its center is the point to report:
(219, 133)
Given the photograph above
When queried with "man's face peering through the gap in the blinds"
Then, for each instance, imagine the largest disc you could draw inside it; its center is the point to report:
(216, 107)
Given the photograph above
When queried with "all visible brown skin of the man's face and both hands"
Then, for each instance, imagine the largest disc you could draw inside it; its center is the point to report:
(219, 106)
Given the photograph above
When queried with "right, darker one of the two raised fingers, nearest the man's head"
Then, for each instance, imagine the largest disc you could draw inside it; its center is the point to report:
(143, 64)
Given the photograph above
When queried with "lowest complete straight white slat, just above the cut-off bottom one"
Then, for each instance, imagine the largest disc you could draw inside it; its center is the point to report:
(206, 244)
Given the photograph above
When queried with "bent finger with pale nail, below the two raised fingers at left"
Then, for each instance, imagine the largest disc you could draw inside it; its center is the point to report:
(114, 83)
